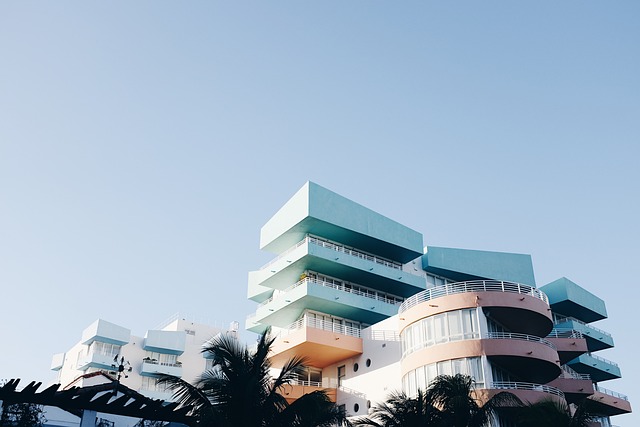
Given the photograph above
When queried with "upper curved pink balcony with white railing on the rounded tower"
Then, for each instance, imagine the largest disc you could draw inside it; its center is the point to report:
(520, 308)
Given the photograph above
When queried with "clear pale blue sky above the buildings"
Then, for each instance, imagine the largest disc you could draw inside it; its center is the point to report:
(144, 143)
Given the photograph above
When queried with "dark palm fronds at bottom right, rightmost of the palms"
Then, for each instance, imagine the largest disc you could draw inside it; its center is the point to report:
(555, 413)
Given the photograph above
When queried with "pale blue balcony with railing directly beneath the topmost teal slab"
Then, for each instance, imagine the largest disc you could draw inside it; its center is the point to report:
(332, 259)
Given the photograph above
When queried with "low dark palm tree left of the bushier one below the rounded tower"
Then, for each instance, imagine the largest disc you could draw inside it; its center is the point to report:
(399, 410)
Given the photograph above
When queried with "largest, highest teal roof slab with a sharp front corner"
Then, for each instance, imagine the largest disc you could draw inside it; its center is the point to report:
(318, 211)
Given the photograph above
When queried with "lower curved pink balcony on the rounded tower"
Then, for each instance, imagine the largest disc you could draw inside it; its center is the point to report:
(528, 357)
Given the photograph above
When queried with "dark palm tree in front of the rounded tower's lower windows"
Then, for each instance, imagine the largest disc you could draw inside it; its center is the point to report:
(453, 396)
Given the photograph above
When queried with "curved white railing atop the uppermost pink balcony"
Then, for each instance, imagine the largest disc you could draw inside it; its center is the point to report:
(472, 286)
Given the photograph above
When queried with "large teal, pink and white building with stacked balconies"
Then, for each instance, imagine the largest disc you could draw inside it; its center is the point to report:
(373, 311)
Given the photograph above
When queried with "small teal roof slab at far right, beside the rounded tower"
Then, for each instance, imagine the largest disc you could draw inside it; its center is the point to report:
(570, 299)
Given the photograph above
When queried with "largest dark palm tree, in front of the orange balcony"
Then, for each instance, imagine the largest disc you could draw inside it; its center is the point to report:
(239, 391)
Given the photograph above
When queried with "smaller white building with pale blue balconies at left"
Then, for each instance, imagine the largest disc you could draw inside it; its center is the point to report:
(173, 348)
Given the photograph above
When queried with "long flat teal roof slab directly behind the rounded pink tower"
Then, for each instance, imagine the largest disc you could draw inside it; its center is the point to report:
(468, 264)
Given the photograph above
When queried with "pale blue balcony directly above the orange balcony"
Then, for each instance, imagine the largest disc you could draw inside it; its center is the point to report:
(338, 299)
